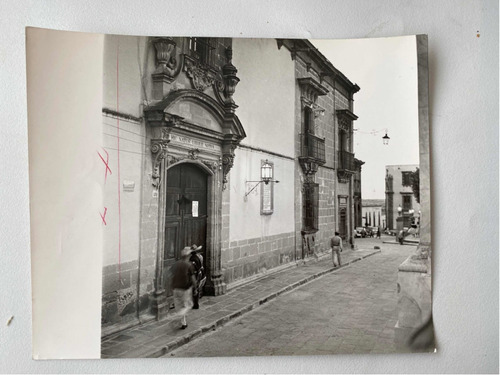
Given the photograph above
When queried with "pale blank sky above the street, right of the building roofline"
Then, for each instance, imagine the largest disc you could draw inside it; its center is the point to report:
(386, 71)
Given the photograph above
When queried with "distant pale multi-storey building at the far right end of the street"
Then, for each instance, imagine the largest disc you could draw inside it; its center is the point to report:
(402, 209)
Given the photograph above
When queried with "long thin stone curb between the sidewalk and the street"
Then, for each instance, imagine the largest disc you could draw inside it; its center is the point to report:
(225, 319)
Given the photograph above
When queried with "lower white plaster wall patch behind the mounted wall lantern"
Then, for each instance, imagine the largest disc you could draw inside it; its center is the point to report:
(245, 220)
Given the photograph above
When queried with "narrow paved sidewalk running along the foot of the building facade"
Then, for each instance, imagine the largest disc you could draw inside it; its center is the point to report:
(155, 338)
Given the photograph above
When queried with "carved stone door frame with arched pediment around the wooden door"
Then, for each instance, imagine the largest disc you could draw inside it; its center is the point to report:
(175, 141)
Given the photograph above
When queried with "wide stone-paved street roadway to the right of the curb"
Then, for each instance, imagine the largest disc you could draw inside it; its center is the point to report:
(352, 310)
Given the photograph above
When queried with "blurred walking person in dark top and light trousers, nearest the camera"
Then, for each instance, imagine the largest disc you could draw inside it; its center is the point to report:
(183, 282)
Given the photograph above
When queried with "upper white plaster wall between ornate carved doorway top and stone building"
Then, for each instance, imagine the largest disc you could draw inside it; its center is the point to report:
(265, 94)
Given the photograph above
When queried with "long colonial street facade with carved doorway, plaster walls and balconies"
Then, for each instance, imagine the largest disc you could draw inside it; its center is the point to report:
(188, 124)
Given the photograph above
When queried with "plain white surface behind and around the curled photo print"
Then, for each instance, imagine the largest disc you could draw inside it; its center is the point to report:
(463, 65)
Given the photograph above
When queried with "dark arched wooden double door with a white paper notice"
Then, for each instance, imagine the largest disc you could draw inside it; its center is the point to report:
(186, 211)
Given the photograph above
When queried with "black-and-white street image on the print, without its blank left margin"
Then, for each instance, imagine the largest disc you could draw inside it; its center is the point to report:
(262, 197)
